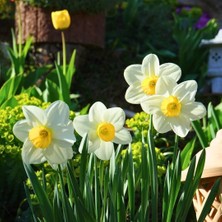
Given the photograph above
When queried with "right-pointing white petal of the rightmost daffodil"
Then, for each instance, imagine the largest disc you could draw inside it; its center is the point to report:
(194, 110)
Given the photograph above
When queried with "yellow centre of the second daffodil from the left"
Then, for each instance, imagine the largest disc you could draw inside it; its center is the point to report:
(106, 131)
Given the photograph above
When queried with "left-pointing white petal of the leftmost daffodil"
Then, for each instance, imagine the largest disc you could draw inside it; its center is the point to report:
(21, 130)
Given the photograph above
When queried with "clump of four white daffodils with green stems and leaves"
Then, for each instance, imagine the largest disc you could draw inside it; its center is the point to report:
(111, 184)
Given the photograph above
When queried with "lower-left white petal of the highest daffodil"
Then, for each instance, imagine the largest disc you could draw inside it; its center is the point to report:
(134, 94)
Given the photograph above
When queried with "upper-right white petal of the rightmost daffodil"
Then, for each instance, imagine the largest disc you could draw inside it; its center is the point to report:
(186, 91)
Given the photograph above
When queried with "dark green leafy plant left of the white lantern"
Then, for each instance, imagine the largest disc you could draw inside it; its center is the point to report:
(191, 57)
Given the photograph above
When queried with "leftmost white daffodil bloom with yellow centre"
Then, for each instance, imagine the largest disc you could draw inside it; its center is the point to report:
(48, 135)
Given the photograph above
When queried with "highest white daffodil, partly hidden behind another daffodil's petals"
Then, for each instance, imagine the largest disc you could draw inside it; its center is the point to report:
(143, 79)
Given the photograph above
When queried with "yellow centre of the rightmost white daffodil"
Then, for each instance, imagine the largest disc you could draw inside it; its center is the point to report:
(171, 106)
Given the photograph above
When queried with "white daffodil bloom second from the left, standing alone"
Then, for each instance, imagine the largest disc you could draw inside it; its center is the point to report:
(103, 127)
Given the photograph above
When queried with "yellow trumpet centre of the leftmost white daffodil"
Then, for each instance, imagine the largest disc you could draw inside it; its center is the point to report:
(40, 136)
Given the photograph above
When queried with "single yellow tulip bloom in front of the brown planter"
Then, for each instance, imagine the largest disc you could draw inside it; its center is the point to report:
(61, 19)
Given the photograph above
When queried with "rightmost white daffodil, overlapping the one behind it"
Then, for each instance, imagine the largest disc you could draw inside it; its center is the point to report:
(176, 109)
